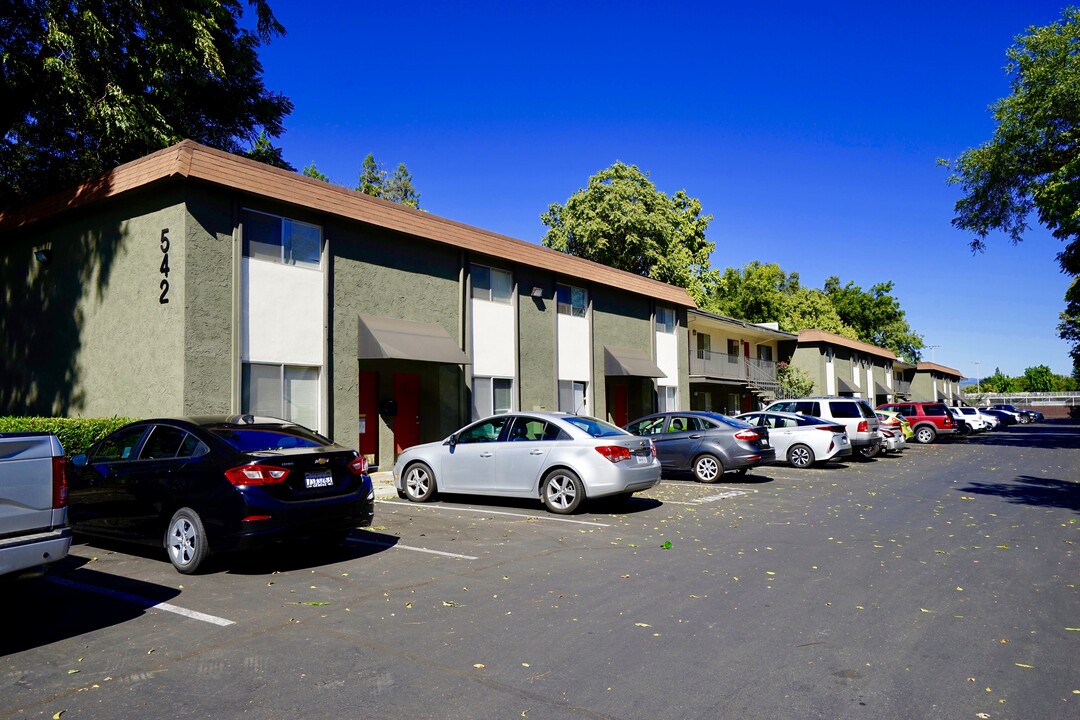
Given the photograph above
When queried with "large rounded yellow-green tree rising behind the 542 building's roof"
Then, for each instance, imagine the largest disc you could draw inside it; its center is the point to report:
(620, 220)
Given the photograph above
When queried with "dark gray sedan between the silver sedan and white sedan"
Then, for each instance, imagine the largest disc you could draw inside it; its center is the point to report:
(706, 444)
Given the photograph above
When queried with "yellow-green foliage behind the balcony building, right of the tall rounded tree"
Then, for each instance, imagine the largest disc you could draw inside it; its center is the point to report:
(762, 293)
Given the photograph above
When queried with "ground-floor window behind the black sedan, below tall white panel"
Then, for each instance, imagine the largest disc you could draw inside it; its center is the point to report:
(281, 391)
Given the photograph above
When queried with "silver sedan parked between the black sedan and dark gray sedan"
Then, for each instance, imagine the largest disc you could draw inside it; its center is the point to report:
(558, 458)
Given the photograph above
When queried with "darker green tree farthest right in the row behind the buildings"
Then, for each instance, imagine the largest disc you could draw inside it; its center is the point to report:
(875, 316)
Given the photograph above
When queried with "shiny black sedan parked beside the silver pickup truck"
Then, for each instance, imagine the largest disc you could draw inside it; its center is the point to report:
(218, 484)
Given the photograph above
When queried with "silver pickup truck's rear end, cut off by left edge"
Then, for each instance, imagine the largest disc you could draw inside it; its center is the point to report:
(34, 529)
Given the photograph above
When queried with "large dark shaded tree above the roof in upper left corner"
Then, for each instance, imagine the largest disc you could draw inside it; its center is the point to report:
(87, 87)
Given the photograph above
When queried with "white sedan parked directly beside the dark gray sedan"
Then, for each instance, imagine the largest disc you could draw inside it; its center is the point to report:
(802, 440)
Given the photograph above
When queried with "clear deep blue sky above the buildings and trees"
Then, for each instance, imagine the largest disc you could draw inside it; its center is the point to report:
(809, 131)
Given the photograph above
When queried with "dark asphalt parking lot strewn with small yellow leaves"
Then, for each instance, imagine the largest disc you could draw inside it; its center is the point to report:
(939, 583)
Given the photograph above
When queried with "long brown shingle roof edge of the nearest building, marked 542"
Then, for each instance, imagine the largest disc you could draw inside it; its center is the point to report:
(191, 160)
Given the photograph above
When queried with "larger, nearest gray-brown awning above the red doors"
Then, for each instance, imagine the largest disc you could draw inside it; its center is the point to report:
(385, 338)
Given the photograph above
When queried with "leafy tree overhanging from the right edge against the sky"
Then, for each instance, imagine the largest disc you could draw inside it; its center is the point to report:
(1032, 165)
